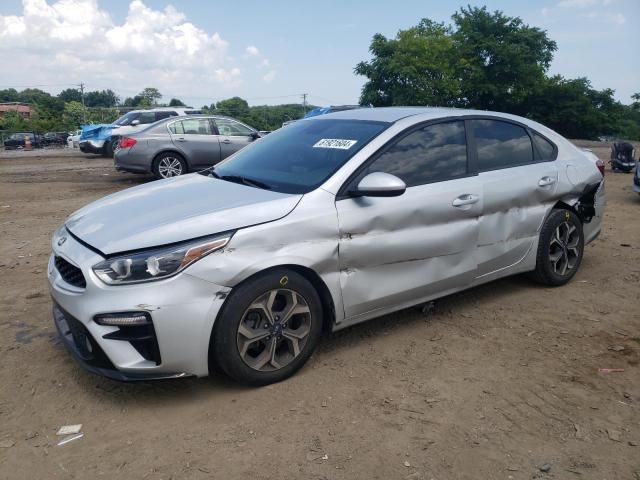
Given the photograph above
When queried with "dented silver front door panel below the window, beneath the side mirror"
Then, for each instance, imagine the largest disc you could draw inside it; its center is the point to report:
(396, 249)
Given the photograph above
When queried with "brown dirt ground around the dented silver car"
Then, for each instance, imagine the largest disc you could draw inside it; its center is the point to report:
(499, 382)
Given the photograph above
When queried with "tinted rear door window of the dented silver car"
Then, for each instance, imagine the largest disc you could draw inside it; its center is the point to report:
(501, 145)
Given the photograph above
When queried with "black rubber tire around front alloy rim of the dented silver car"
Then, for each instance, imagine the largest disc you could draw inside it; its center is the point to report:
(224, 352)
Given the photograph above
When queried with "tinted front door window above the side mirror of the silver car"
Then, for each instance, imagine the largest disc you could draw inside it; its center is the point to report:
(432, 153)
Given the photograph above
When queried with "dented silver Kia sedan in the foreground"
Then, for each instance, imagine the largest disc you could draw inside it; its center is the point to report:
(329, 222)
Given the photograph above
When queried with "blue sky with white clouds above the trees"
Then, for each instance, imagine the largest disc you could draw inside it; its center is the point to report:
(202, 51)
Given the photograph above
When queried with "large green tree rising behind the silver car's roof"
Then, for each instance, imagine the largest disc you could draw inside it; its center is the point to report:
(485, 60)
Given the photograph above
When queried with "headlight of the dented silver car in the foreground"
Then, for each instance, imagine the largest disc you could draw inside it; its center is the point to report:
(158, 263)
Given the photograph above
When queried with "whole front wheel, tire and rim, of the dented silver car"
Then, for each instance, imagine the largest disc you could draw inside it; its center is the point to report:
(268, 328)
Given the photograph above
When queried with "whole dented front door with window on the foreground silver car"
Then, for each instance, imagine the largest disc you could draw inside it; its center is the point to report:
(399, 250)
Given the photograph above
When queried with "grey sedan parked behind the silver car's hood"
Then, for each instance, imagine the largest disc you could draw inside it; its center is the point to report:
(179, 145)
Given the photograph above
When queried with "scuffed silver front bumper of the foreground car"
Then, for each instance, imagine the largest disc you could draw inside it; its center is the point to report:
(183, 310)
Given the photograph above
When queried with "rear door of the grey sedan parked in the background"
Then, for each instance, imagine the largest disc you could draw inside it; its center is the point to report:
(195, 138)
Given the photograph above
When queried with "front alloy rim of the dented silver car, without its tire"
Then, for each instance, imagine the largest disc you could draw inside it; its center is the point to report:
(274, 330)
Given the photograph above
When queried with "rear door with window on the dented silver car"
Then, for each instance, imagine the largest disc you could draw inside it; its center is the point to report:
(518, 186)
